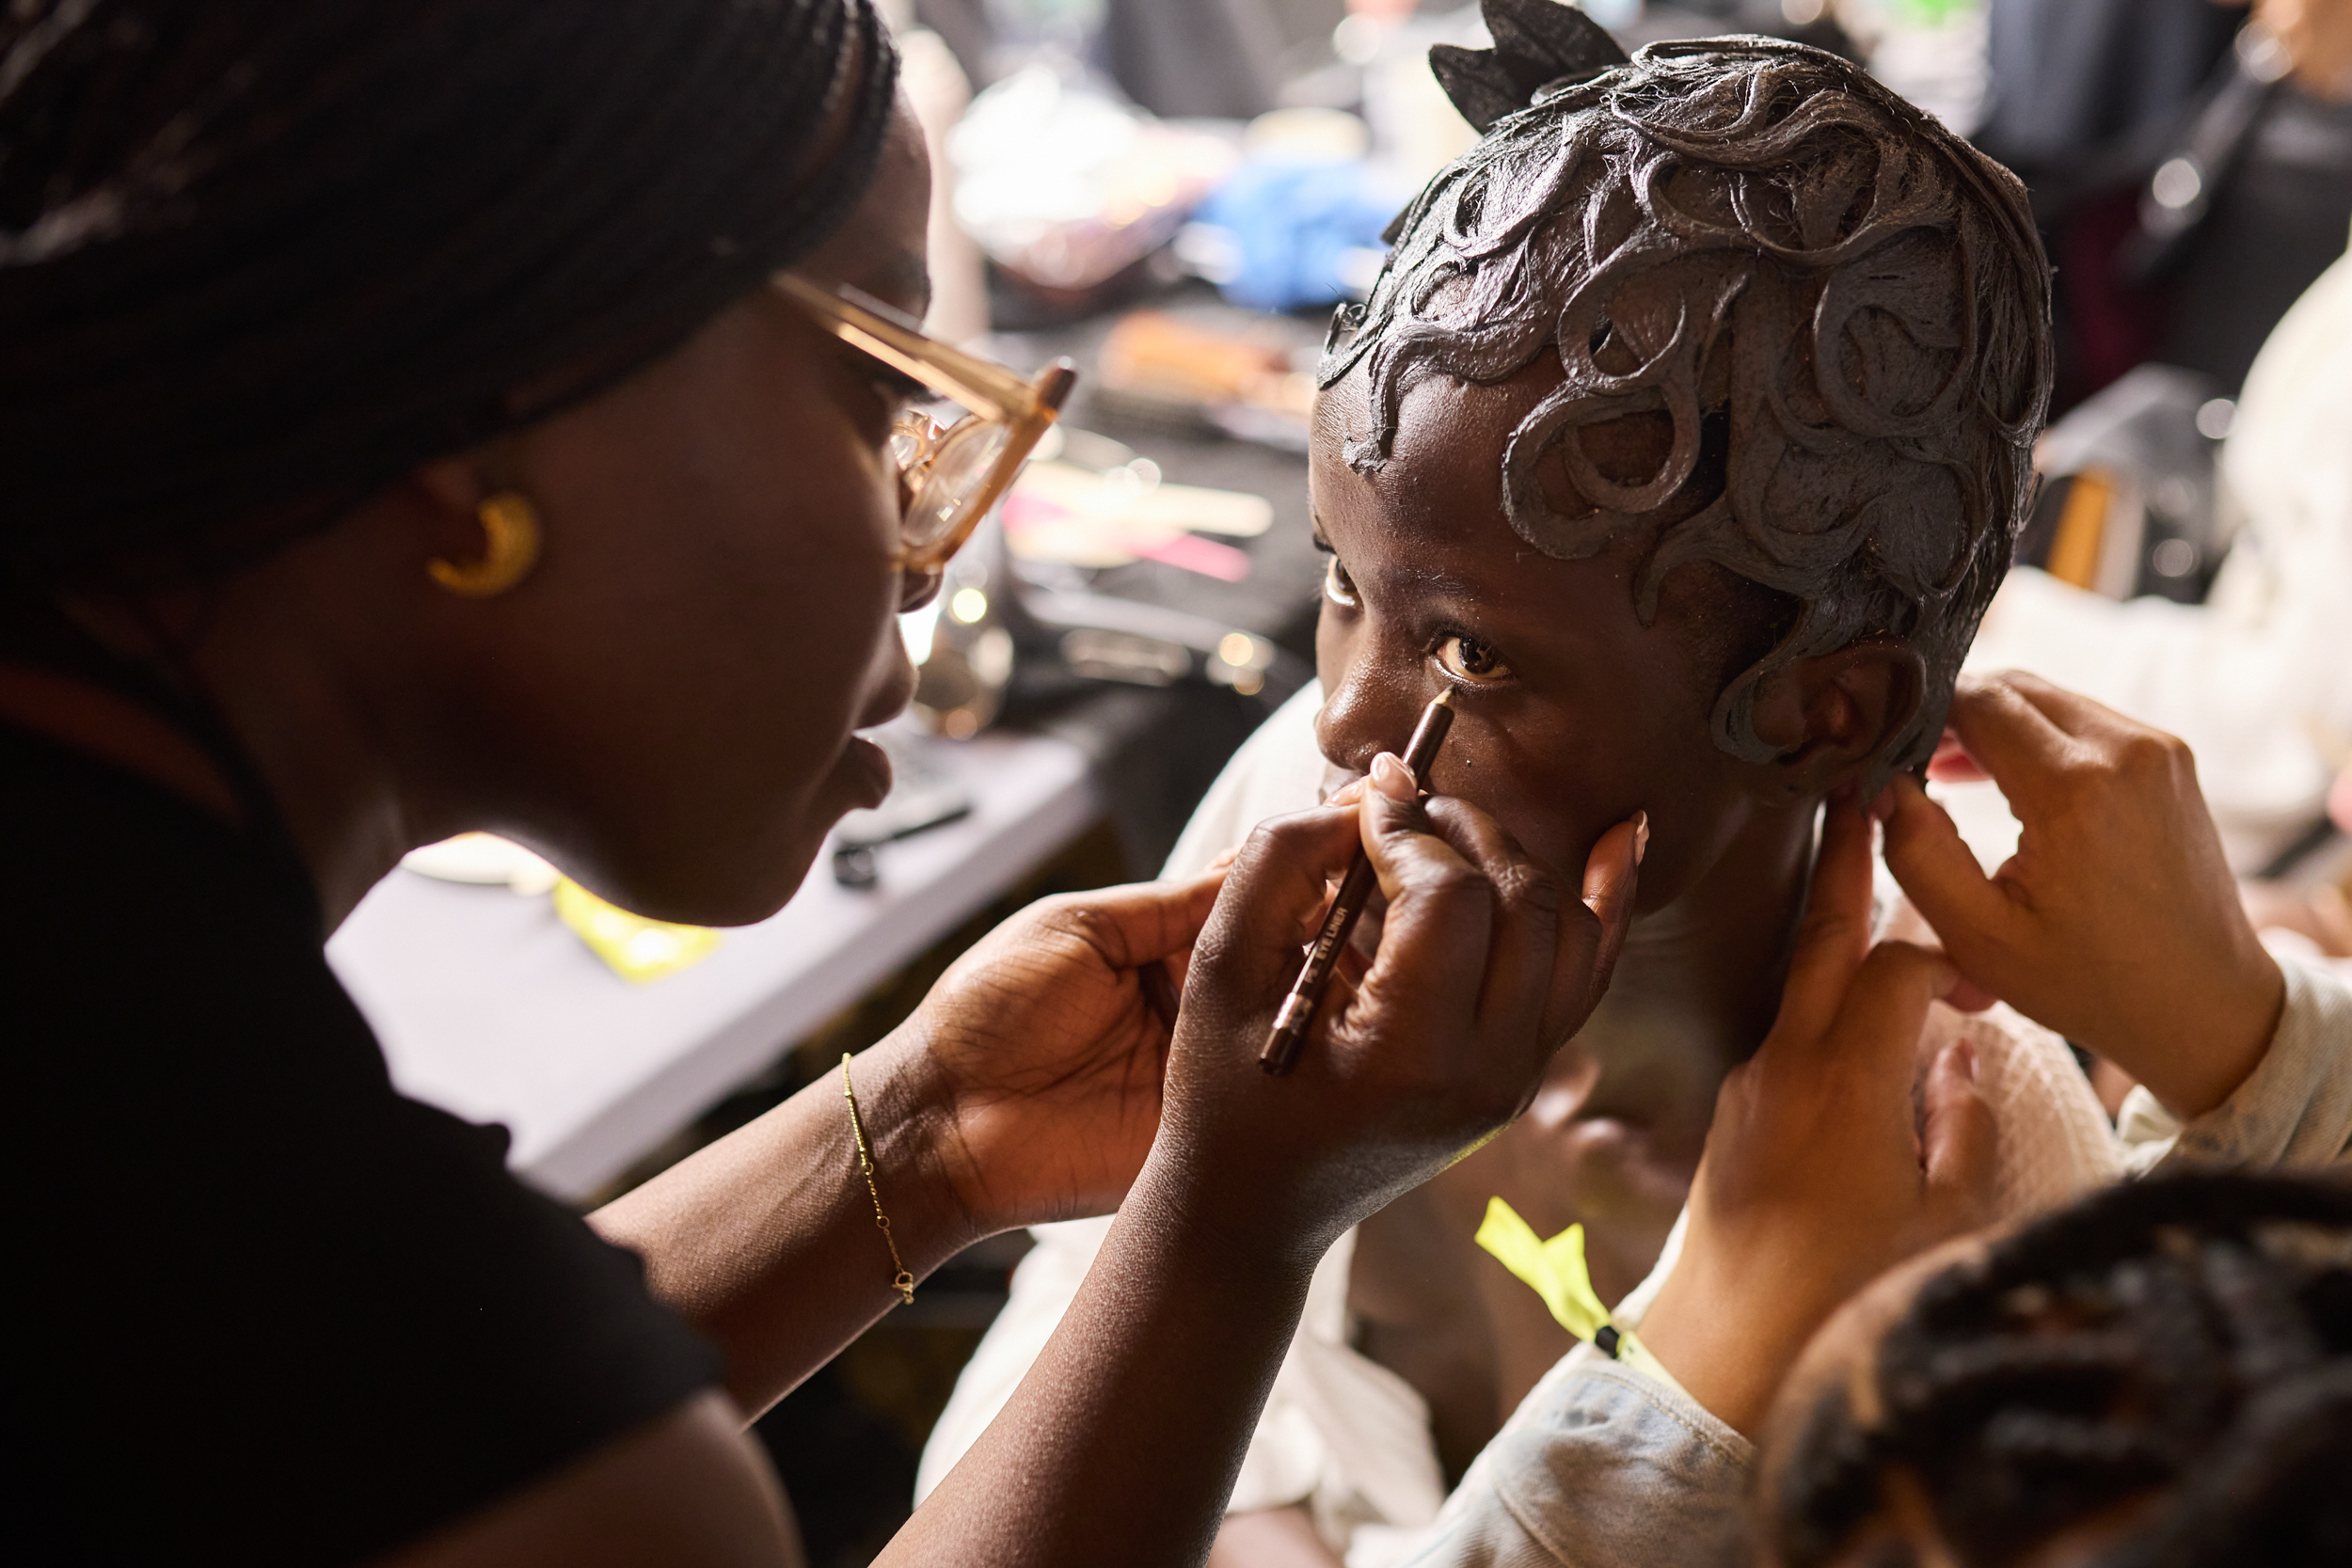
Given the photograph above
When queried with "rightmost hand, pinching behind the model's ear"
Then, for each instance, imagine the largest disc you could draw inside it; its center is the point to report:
(2118, 923)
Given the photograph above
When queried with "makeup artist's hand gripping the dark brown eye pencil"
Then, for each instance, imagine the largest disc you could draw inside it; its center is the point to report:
(1485, 965)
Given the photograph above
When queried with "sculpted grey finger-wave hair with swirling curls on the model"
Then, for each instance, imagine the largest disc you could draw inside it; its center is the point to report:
(1808, 276)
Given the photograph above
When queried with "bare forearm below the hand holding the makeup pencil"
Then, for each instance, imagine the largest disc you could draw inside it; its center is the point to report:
(1123, 1442)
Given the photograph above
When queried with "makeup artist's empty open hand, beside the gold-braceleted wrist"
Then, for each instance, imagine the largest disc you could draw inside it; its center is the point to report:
(1048, 1043)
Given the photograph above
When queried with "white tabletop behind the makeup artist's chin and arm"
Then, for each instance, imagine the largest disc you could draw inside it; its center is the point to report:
(497, 1012)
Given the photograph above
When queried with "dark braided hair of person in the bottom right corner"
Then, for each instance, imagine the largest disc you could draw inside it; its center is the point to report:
(2172, 1353)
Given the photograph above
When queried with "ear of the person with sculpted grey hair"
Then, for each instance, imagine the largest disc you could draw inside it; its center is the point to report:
(1833, 716)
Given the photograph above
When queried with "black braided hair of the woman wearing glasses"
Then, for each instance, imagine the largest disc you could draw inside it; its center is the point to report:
(260, 260)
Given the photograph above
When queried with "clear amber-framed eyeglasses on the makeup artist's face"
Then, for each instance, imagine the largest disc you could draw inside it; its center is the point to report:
(949, 474)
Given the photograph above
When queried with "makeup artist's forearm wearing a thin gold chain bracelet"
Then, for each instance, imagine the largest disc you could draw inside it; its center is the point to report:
(768, 1238)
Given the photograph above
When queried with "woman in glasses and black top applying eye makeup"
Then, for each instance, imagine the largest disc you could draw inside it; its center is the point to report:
(488, 415)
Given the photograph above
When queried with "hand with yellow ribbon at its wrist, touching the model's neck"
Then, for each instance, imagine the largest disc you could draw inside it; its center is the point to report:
(1822, 1167)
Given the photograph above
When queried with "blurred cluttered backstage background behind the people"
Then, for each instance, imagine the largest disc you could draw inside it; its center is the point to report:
(1175, 194)
